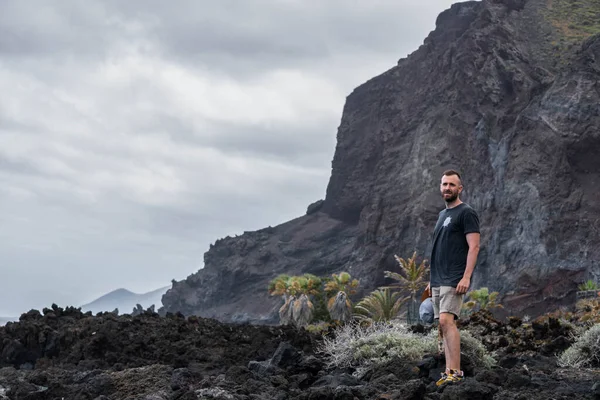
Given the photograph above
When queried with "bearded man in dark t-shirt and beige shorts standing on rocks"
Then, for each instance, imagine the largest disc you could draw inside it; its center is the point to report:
(453, 259)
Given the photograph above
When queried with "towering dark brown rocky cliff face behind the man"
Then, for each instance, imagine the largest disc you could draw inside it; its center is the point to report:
(499, 91)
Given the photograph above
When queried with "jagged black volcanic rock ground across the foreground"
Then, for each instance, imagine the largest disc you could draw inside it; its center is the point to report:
(66, 354)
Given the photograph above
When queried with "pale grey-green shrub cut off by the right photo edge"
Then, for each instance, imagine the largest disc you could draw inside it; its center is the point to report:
(585, 352)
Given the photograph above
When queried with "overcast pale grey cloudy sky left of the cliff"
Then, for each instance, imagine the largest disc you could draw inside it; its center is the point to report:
(134, 134)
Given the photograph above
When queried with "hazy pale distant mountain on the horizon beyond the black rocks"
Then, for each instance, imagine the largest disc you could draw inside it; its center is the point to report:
(125, 301)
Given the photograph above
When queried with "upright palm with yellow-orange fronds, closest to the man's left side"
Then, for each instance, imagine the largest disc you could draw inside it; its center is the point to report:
(413, 279)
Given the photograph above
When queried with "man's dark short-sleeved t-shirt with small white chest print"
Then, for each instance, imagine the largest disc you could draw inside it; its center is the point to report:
(450, 247)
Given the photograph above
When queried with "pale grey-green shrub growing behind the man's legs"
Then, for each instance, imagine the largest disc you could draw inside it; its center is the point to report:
(380, 343)
